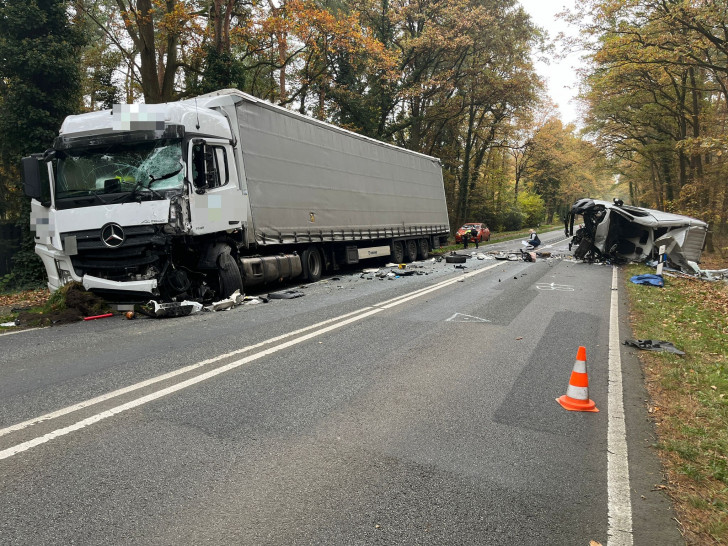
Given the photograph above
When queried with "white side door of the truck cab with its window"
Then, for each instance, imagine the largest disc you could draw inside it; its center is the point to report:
(216, 200)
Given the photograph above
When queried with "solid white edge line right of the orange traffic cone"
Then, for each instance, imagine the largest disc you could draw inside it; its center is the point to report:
(619, 514)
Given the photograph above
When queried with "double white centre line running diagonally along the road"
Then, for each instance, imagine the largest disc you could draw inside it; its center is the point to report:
(339, 321)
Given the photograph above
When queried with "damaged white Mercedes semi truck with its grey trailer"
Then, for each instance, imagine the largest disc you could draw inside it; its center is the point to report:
(199, 198)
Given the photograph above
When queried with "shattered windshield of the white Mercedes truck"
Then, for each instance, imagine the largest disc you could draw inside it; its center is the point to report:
(120, 168)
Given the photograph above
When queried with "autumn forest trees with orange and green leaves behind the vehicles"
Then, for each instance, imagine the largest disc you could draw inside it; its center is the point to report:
(450, 78)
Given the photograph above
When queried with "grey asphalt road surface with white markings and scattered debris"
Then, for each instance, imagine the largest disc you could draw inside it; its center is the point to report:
(417, 410)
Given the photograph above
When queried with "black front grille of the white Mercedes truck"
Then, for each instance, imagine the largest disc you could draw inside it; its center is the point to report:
(130, 258)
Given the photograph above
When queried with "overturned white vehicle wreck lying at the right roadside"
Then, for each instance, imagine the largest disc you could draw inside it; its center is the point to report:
(622, 233)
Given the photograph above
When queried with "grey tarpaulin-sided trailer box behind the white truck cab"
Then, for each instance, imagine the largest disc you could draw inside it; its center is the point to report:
(307, 179)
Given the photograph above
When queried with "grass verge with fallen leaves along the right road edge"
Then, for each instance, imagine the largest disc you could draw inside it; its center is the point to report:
(689, 395)
